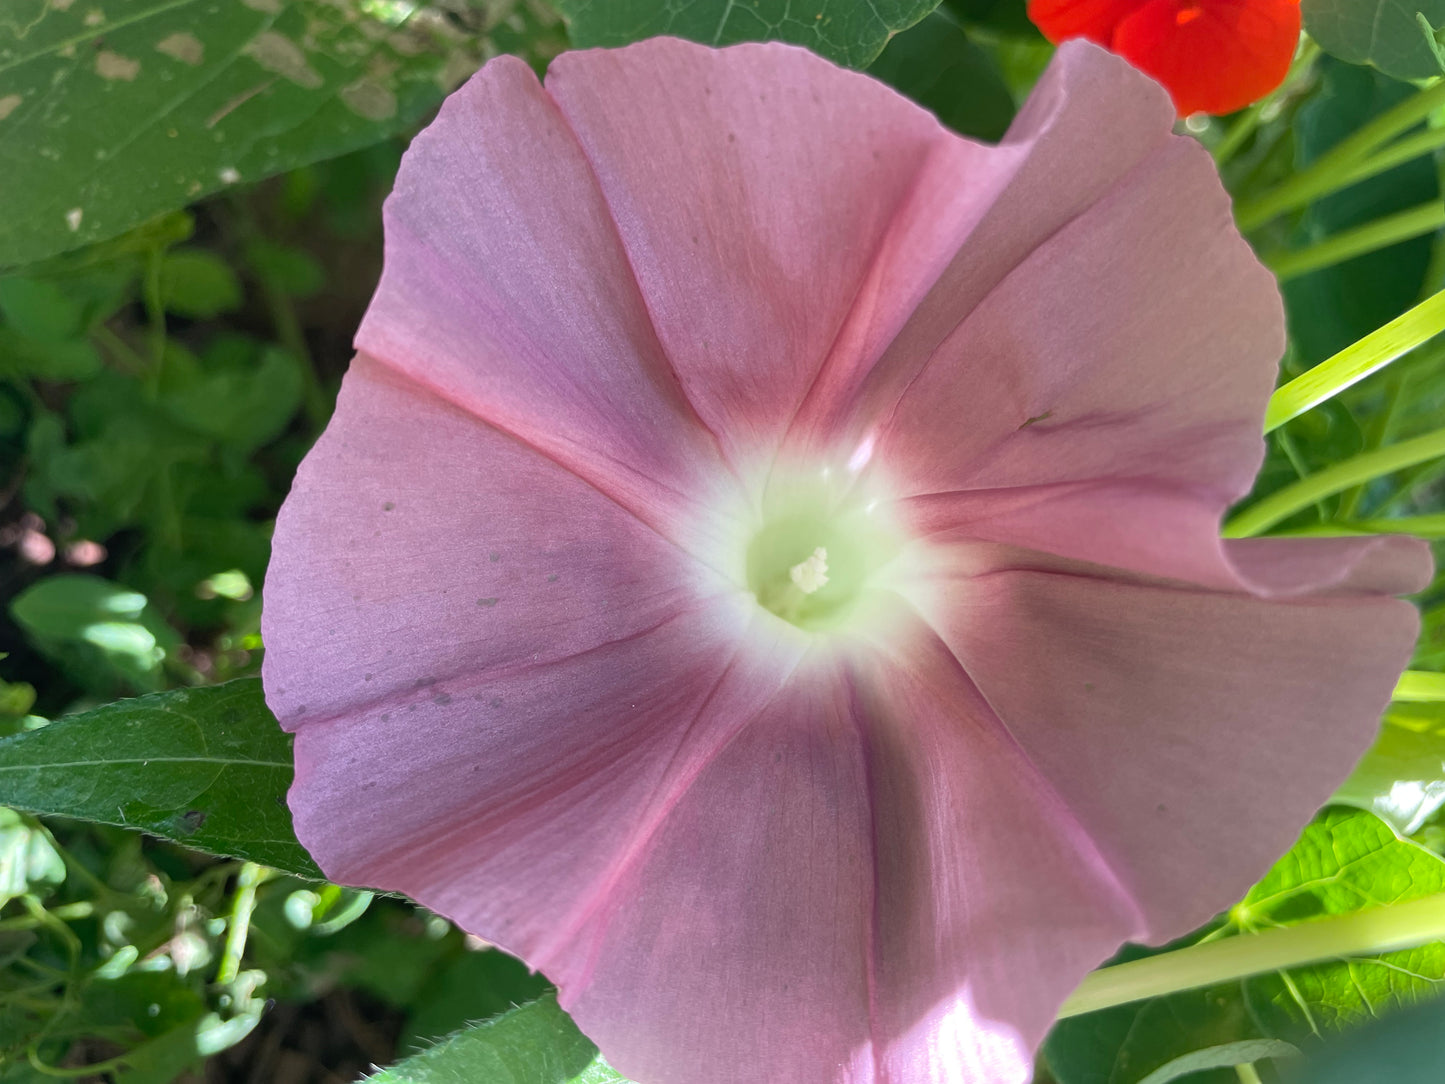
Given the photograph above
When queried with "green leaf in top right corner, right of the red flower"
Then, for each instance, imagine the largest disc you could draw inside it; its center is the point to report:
(1379, 33)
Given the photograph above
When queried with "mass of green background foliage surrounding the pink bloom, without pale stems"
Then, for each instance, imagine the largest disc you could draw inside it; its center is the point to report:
(193, 233)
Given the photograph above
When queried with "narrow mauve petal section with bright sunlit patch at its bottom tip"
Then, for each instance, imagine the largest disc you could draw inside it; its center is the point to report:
(993, 904)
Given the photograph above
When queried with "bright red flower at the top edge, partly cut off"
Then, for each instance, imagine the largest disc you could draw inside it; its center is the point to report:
(1213, 56)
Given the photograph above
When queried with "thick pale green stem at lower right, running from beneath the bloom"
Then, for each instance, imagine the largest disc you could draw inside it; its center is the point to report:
(1366, 933)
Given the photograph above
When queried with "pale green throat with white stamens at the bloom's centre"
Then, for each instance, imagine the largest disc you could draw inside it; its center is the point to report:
(817, 556)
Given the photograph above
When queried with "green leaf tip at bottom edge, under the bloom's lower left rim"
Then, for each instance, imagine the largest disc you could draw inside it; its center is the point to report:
(537, 1044)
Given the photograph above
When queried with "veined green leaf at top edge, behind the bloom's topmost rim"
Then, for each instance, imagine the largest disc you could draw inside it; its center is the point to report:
(843, 31)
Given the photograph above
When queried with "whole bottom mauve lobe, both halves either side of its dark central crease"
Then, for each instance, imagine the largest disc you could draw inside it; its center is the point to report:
(869, 885)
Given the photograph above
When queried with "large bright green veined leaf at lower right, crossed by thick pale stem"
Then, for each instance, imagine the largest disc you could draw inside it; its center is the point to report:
(1347, 861)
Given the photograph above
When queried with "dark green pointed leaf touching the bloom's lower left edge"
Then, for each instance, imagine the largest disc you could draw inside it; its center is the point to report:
(207, 768)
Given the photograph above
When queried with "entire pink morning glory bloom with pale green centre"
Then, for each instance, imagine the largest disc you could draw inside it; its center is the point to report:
(765, 566)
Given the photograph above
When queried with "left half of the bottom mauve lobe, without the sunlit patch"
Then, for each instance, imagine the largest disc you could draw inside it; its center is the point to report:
(735, 946)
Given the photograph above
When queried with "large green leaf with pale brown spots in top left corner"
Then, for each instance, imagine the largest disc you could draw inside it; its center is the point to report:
(113, 113)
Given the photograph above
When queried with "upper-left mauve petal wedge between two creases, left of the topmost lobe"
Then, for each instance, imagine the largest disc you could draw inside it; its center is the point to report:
(508, 291)
